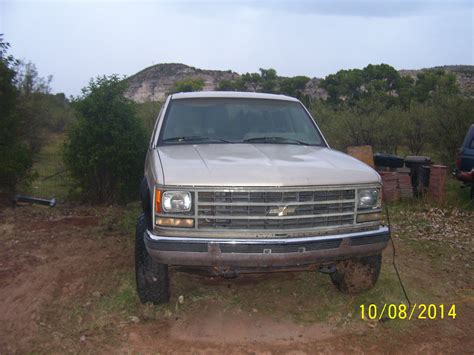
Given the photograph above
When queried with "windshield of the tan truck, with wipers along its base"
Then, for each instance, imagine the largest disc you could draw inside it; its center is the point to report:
(229, 120)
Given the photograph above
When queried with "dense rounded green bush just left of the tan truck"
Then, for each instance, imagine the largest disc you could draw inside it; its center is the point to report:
(105, 148)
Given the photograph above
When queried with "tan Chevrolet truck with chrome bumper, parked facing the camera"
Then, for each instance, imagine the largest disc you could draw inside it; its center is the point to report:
(246, 183)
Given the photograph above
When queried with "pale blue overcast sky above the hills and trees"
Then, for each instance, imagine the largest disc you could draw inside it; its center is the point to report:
(75, 41)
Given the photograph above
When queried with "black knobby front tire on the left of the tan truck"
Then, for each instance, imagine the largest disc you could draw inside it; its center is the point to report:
(152, 277)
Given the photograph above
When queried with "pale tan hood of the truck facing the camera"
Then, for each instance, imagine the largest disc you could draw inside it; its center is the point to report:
(261, 165)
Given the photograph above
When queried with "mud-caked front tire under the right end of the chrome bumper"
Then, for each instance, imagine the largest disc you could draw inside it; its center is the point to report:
(356, 275)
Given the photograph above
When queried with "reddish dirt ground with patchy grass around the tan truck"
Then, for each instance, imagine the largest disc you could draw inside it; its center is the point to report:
(67, 285)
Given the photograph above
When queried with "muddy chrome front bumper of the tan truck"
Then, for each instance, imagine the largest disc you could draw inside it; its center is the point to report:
(264, 253)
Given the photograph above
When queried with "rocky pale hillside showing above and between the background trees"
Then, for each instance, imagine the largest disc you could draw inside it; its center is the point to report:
(155, 82)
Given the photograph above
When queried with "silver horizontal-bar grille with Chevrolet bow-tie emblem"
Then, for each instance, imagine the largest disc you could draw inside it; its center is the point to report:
(274, 210)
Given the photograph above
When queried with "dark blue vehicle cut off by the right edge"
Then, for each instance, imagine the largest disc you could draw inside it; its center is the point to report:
(465, 161)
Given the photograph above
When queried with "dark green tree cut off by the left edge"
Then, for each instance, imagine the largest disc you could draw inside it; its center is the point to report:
(15, 157)
